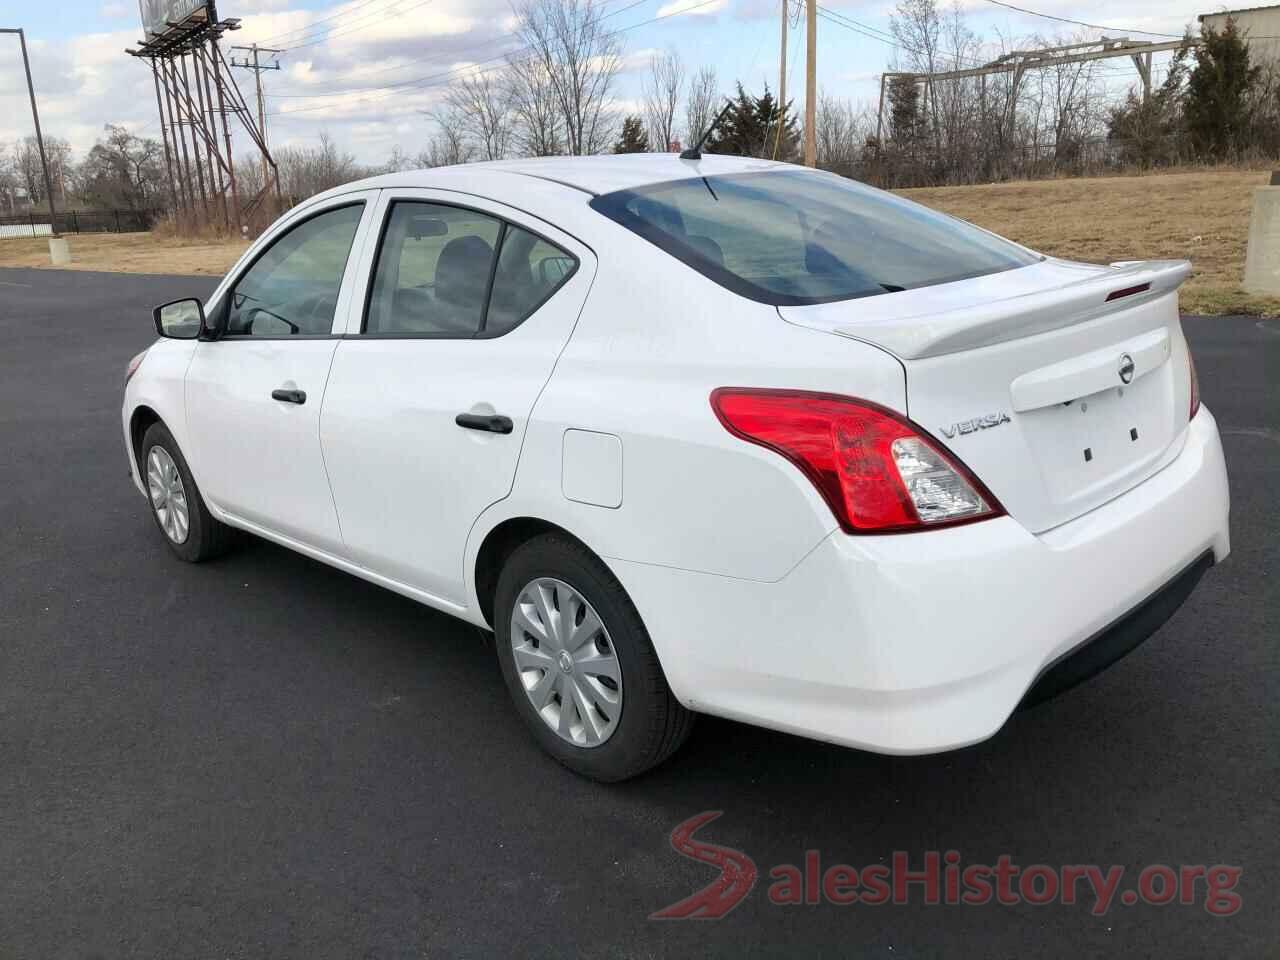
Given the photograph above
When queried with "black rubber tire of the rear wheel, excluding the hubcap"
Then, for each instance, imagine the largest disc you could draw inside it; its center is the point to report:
(653, 724)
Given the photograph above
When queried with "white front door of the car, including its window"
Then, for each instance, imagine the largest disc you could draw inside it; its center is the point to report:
(254, 395)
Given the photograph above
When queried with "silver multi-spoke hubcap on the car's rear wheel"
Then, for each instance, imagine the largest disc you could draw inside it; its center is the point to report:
(566, 662)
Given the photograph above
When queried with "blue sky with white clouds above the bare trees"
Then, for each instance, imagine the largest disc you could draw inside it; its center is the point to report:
(365, 71)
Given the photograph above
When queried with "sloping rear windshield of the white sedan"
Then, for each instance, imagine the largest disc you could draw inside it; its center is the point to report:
(797, 237)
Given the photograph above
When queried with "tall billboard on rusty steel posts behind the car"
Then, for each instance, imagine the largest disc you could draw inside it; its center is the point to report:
(199, 104)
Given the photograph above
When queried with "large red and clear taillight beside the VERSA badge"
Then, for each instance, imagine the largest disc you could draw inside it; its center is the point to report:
(877, 472)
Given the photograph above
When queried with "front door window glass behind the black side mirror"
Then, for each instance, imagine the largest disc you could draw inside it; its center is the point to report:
(292, 289)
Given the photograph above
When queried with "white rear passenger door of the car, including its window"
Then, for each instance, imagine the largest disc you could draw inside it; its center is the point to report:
(468, 307)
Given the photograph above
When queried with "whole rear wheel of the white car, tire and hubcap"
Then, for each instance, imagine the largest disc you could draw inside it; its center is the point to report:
(579, 664)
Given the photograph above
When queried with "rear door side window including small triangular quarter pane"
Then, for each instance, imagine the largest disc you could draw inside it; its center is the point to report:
(455, 273)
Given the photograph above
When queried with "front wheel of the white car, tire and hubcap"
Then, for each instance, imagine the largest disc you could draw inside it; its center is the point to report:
(180, 511)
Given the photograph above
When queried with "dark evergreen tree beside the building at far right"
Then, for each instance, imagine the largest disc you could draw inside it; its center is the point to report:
(1217, 108)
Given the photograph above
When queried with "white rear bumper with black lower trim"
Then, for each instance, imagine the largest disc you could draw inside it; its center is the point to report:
(929, 642)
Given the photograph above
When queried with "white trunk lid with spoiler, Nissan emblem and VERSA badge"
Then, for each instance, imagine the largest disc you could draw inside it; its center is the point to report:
(1060, 386)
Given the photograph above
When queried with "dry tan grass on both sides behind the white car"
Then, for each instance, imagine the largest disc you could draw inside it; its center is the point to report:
(1203, 217)
